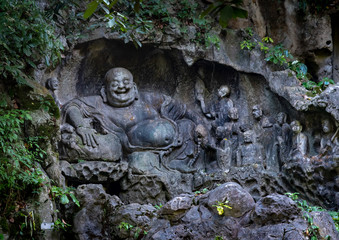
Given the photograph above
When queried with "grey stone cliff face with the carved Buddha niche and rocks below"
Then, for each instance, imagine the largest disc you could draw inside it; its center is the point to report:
(218, 119)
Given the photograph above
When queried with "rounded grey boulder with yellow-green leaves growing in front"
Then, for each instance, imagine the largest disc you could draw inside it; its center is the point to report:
(238, 198)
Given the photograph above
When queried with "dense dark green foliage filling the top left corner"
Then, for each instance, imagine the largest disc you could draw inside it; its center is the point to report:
(25, 37)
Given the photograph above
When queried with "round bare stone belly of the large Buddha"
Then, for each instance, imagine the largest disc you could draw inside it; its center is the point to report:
(152, 133)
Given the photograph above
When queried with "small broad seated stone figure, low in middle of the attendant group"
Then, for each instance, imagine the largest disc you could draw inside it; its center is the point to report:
(251, 152)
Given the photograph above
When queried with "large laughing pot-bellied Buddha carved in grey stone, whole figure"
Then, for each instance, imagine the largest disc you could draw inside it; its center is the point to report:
(123, 121)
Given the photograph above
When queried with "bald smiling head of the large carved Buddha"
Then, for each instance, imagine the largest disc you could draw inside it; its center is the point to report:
(121, 90)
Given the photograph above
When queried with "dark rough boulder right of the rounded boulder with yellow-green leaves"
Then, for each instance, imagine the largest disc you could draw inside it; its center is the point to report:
(275, 208)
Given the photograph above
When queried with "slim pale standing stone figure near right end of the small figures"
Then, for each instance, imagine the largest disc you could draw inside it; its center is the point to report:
(300, 141)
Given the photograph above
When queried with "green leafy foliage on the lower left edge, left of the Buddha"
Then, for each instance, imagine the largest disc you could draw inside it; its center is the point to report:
(18, 158)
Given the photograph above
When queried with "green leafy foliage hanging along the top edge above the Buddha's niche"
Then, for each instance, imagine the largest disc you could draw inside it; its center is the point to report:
(134, 19)
